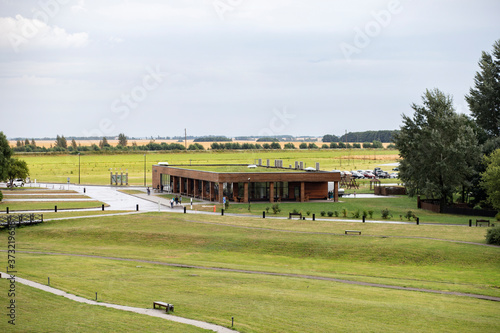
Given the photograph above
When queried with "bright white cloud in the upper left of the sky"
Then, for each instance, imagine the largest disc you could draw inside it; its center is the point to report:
(21, 33)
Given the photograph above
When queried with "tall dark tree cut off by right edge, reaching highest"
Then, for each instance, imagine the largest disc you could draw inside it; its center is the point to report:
(484, 98)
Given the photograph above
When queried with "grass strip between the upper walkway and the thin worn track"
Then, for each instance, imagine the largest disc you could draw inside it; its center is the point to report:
(419, 263)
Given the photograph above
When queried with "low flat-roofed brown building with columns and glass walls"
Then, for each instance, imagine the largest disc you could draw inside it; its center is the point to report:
(243, 183)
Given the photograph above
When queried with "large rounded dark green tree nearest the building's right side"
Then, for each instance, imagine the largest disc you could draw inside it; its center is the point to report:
(438, 148)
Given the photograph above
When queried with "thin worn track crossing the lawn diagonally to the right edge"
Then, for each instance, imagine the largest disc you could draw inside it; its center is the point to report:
(301, 276)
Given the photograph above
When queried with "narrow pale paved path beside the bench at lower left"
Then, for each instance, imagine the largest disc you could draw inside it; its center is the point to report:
(148, 312)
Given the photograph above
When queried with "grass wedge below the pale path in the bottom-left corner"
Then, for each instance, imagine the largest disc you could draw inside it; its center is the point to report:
(40, 311)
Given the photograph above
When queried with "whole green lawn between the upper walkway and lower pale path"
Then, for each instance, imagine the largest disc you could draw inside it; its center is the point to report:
(385, 254)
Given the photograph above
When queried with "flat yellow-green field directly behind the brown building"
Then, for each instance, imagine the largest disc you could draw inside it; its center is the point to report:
(95, 169)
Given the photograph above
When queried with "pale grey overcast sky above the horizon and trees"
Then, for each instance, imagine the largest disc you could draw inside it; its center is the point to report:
(232, 67)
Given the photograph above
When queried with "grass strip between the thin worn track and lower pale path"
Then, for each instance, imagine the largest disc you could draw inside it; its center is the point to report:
(263, 303)
